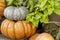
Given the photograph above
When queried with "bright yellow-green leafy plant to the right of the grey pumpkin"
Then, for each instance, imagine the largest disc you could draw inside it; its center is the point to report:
(41, 9)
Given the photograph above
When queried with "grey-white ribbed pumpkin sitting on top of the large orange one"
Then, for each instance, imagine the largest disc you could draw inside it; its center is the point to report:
(15, 13)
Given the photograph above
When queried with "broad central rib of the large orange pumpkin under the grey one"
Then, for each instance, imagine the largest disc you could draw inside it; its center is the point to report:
(19, 26)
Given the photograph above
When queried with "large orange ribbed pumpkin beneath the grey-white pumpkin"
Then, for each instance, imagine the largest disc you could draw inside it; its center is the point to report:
(17, 30)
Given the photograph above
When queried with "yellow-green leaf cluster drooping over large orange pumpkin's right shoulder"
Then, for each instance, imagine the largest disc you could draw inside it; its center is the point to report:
(34, 18)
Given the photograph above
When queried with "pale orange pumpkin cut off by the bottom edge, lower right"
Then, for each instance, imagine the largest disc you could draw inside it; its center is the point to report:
(43, 36)
